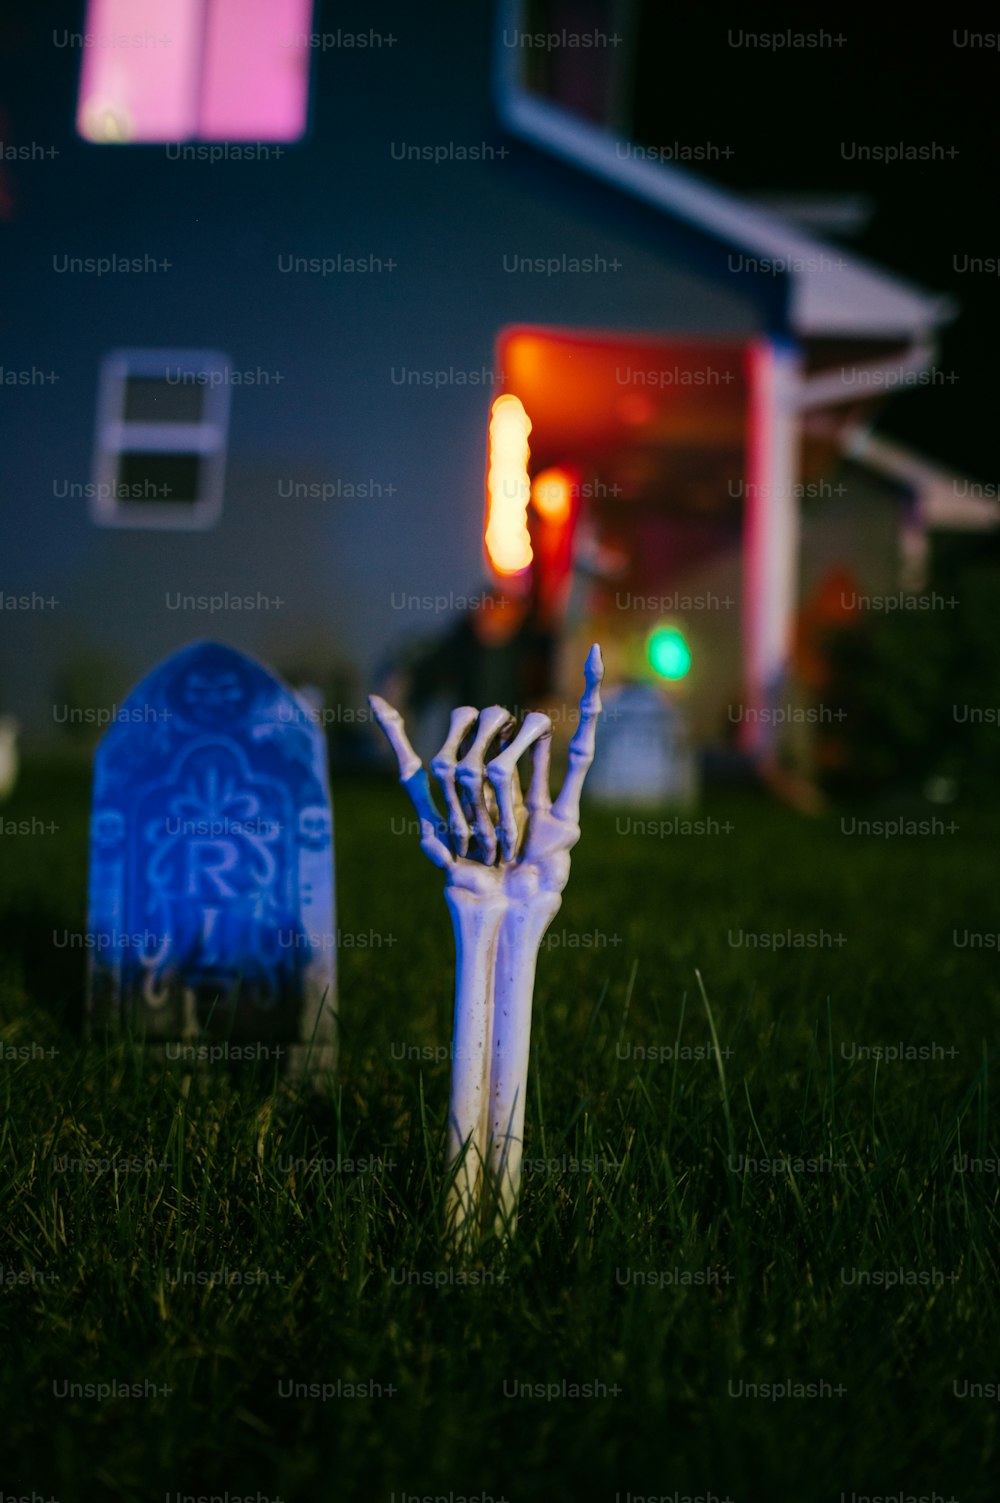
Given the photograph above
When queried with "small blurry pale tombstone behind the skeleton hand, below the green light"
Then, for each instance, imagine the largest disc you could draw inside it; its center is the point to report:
(644, 754)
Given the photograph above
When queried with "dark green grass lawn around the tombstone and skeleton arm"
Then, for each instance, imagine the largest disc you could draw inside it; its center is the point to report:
(792, 1211)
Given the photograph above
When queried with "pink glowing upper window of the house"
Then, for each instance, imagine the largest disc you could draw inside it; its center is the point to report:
(195, 70)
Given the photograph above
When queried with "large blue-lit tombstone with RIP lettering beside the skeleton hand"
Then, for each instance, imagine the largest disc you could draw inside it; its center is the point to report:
(211, 862)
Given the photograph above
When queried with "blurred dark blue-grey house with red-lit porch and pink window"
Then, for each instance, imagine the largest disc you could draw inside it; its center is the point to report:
(259, 330)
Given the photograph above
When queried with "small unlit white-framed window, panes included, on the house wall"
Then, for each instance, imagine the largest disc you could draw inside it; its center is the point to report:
(160, 461)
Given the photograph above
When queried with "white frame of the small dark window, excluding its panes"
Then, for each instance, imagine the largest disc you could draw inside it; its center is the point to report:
(117, 435)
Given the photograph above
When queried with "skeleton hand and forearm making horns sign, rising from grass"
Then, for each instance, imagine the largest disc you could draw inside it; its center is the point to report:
(505, 879)
